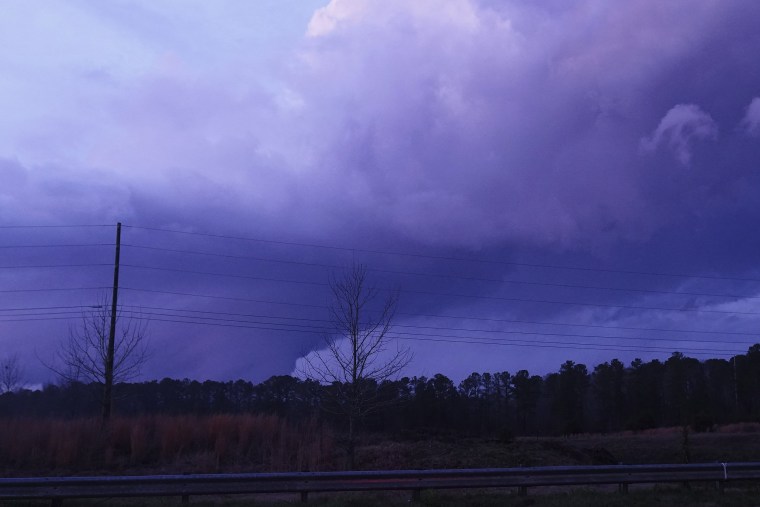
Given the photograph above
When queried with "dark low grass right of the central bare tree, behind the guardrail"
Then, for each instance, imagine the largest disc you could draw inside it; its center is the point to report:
(656, 446)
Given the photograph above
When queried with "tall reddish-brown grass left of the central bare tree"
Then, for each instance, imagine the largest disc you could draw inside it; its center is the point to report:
(164, 444)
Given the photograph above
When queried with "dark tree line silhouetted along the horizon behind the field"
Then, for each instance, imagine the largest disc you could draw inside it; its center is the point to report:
(679, 391)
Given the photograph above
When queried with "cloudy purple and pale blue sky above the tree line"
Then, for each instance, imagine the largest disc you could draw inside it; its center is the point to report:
(610, 136)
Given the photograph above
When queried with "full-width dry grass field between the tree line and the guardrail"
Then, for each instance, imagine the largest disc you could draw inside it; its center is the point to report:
(265, 443)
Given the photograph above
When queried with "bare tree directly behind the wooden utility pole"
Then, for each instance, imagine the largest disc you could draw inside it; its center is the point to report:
(83, 355)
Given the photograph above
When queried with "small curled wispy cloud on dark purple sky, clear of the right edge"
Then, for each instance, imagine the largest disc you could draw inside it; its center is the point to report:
(679, 129)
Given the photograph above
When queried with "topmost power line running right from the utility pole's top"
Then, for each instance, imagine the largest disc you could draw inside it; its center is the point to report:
(447, 258)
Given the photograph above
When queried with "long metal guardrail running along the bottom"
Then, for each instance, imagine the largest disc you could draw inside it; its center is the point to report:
(59, 488)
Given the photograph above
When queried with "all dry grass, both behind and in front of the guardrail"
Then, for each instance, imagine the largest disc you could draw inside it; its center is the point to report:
(257, 443)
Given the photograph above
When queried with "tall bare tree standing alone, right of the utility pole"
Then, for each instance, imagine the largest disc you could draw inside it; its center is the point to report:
(357, 357)
